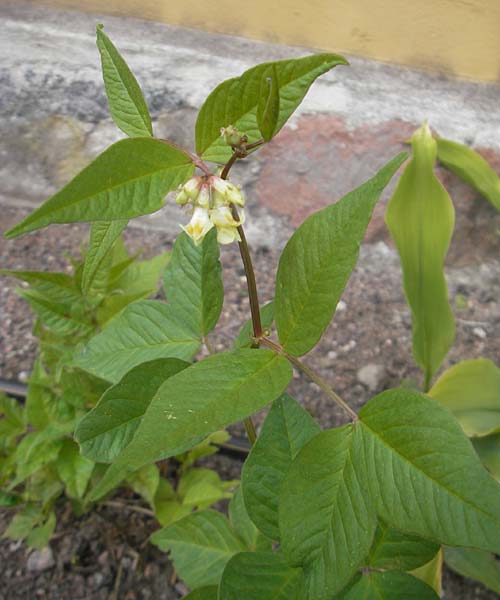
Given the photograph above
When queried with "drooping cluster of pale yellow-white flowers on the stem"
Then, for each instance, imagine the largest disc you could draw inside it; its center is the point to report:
(213, 200)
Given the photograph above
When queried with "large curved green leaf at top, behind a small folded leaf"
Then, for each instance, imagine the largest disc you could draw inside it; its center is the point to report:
(235, 101)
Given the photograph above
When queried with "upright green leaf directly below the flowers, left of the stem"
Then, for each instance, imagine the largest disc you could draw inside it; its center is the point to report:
(193, 283)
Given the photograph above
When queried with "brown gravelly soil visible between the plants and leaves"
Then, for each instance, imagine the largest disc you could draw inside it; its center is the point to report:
(105, 554)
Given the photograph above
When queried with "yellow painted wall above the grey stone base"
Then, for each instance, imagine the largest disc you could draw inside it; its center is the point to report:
(458, 37)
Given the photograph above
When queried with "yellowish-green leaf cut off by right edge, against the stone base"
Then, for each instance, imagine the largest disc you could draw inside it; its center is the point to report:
(471, 167)
